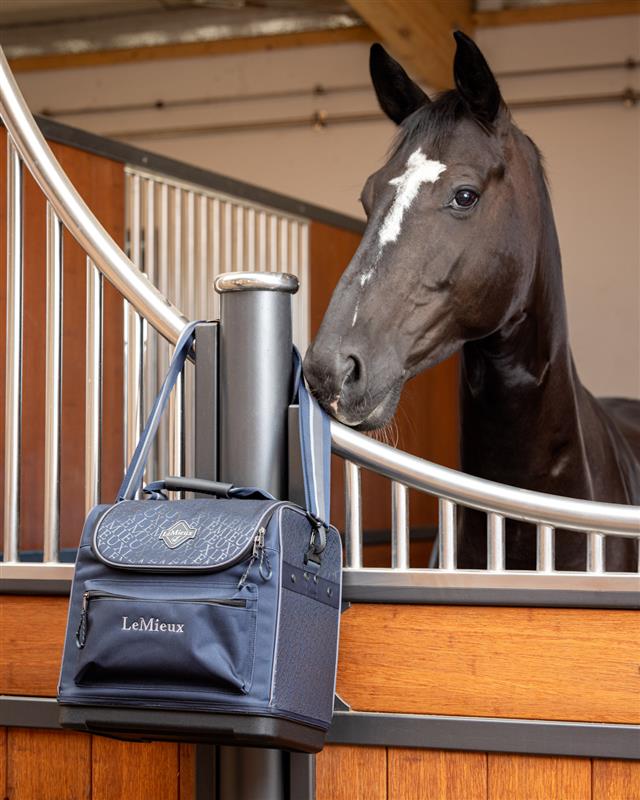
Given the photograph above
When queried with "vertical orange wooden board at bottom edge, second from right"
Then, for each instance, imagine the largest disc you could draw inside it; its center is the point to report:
(513, 777)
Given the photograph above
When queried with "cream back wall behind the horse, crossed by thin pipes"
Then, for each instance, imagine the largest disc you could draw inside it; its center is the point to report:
(592, 152)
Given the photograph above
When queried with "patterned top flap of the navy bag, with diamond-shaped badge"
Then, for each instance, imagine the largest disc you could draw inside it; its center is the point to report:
(180, 535)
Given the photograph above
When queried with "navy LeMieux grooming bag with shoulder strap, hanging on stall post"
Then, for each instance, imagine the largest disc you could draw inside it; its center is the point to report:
(207, 620)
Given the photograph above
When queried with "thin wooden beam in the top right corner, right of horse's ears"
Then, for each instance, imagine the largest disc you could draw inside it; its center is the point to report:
(561, 12)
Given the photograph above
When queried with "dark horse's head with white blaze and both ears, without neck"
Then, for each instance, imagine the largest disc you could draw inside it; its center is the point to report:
(449, 250)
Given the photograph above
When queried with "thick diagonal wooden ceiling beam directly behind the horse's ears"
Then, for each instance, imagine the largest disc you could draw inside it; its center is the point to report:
(419, 34)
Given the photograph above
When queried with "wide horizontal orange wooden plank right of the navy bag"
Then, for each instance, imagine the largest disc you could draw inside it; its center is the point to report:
(564, 664)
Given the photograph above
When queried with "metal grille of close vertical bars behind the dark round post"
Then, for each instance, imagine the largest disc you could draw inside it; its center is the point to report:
(182, 236)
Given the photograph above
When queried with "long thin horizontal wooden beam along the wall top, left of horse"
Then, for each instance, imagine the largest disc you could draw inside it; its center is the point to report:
(192, 49)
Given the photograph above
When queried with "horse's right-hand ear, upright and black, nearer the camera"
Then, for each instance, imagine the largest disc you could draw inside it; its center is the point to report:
(474, 79)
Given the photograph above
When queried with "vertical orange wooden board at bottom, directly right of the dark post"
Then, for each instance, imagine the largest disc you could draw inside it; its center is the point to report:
(351, 773)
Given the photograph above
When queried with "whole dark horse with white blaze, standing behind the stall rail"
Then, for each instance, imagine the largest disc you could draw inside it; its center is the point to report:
(461, 252)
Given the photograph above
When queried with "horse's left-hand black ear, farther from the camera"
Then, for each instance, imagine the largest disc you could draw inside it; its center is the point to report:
(397, 94)
